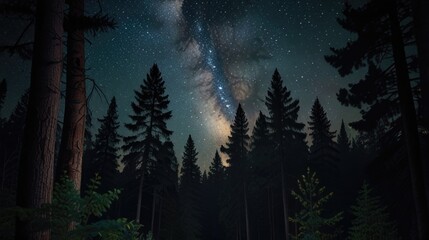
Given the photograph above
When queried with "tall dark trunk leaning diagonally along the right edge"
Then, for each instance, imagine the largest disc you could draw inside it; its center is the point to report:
(409, 122)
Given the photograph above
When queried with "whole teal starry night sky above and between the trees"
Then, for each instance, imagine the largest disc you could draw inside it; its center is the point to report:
(212, 55)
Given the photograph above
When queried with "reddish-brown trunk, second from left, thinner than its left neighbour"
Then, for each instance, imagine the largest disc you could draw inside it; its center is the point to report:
(71, 149)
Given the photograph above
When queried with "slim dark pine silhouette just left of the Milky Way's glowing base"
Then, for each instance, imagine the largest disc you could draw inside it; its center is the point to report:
(190, 180)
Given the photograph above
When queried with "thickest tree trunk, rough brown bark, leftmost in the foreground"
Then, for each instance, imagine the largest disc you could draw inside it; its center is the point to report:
(36, 167)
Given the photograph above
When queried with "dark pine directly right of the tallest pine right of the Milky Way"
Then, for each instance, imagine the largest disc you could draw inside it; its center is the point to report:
(323, 152)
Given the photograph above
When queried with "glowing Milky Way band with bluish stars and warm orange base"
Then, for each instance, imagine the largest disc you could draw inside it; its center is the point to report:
(222, 57)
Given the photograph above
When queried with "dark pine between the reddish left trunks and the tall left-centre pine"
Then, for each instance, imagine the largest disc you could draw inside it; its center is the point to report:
(106, 147)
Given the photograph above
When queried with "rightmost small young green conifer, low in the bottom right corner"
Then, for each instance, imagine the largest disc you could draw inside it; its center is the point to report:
(370, 218)
